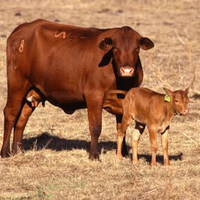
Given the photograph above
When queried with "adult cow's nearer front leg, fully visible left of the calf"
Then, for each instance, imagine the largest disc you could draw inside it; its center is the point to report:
(94, 107)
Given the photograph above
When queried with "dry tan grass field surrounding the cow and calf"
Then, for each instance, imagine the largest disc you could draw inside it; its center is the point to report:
(55, 163)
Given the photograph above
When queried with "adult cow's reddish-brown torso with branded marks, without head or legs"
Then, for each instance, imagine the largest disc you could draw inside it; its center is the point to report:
(59, 59)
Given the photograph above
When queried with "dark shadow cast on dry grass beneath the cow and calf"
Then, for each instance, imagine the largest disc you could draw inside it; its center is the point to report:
(48, 141)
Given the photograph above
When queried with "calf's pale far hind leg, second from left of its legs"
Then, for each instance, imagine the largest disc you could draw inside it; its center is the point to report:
(139, 129)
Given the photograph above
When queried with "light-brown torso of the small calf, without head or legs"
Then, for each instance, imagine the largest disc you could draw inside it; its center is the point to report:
(146, 106)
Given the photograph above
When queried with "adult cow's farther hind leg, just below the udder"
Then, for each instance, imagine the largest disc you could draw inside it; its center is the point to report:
(27, 110)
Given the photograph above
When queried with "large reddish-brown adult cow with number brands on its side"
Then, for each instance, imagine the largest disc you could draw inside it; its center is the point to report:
(71, 67)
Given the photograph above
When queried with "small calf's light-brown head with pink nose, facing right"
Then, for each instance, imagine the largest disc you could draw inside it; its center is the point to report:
(179, 100)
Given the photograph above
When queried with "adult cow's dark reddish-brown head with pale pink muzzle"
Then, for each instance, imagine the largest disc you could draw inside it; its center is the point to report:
(125, 46)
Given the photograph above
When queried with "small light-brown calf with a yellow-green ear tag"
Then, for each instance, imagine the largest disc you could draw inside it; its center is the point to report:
(151, 109)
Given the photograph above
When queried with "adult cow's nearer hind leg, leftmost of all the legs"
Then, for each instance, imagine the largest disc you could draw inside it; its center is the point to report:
(11, 113)
